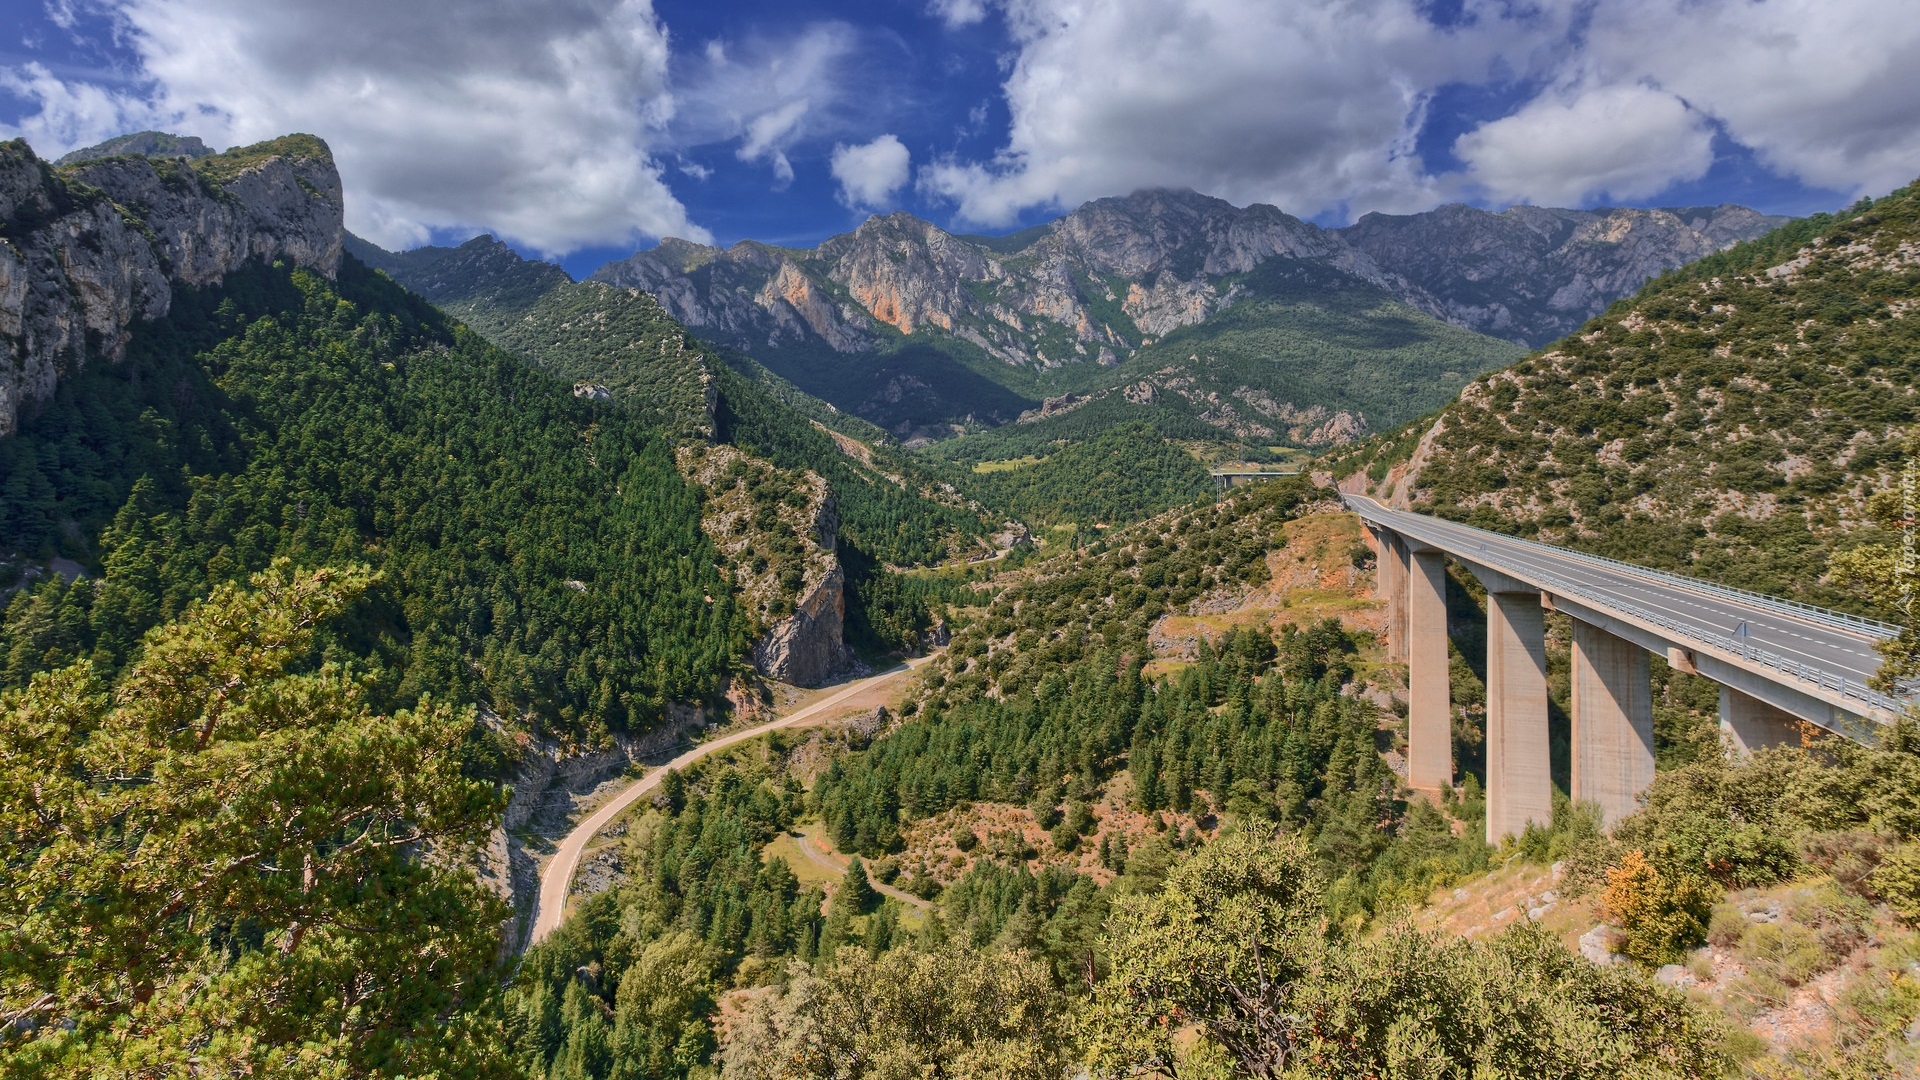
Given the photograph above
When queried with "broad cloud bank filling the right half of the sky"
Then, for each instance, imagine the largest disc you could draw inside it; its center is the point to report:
(1314, 105)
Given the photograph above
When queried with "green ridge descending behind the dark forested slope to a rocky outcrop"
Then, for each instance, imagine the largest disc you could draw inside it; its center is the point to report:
(807, 514)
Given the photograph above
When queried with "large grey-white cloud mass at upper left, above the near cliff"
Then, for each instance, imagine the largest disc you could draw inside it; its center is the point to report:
(537, 122)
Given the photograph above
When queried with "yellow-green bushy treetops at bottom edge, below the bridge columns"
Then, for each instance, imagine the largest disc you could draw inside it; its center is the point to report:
(1239, 945)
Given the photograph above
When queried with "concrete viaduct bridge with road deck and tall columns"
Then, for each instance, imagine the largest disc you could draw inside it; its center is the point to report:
(1779, 664)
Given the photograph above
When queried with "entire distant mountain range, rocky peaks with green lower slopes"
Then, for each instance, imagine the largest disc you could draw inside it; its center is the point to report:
(930, 335)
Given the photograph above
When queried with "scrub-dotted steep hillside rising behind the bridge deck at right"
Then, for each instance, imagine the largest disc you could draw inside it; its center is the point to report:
(1729, 422)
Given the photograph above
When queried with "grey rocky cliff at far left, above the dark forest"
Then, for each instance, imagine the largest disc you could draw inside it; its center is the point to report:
(93, 249)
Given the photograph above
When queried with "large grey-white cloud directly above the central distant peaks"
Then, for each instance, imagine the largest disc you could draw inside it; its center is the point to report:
(1308, 105)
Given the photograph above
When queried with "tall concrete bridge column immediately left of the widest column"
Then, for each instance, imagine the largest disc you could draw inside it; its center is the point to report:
(1520, 768)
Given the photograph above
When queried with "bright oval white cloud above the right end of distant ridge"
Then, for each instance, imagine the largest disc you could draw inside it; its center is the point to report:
(1564, 149)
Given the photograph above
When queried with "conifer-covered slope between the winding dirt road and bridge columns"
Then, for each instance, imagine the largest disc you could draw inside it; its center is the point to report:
(1259, 727)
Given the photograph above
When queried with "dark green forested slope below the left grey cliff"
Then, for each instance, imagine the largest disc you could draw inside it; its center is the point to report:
(540, 554)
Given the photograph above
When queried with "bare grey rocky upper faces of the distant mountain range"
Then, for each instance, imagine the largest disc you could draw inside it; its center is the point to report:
(1122, 272)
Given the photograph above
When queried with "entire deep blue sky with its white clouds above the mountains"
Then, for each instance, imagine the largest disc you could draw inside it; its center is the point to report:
(585, 130)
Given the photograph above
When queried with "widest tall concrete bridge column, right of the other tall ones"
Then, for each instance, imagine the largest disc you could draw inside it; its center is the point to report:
(1612, 722)
